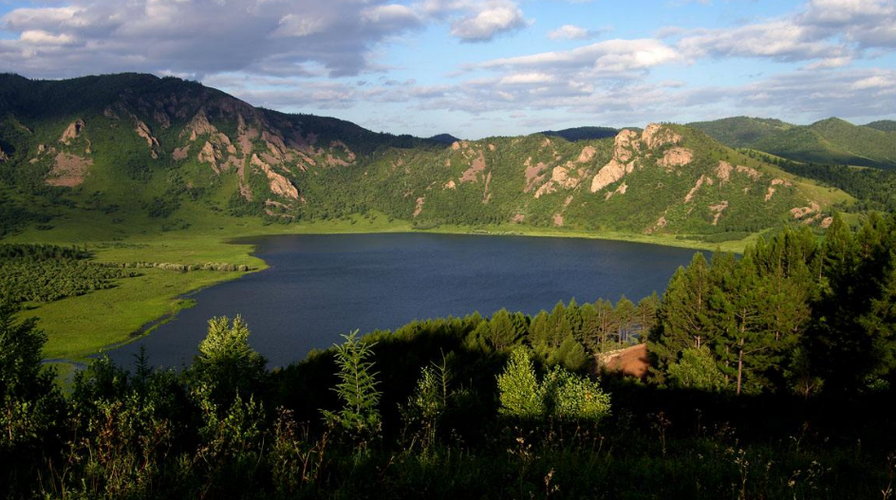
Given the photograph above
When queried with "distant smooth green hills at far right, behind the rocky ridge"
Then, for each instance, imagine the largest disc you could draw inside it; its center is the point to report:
(830, 141)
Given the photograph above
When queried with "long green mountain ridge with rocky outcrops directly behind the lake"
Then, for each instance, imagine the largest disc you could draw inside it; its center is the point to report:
(129, 152)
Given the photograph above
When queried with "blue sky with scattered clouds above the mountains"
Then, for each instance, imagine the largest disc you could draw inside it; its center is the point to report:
(477, 68)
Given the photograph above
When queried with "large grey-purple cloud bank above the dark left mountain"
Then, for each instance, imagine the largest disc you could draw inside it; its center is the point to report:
(201, 37)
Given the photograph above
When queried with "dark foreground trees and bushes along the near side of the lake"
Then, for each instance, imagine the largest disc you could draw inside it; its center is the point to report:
(762, 369)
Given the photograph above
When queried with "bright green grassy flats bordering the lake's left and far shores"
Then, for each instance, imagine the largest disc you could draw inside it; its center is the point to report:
(82, 326)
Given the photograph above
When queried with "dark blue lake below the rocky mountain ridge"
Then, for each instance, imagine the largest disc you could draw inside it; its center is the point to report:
(321, 286)
